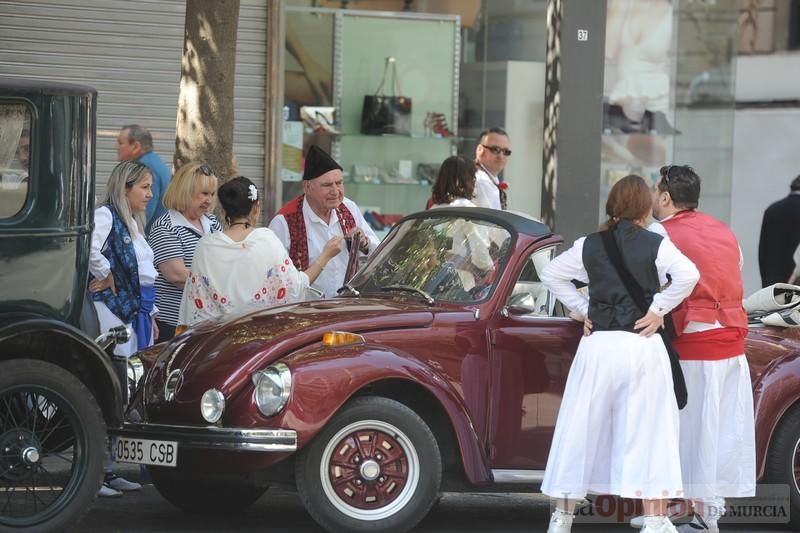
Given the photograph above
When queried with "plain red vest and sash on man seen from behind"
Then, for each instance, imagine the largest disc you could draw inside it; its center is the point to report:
(717, 297)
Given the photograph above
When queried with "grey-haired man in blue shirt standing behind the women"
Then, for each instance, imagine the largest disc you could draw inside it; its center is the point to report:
(135, 142)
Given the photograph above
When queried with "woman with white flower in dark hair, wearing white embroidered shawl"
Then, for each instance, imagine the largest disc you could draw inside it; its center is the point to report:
(244, 268)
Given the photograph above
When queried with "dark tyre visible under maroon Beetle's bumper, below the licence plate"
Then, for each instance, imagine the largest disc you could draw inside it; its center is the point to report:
(201, 496)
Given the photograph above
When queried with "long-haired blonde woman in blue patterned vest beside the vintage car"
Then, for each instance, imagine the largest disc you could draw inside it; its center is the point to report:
(122, 275)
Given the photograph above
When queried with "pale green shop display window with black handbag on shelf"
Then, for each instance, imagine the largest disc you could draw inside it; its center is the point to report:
(378, 92)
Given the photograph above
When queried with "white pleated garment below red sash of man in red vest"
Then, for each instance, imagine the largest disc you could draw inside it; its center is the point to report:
(717, 442)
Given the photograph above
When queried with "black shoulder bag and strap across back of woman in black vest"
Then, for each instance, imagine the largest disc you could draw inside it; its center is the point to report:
(637, 293)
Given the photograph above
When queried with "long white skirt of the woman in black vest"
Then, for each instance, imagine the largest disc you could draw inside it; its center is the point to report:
(617, 428)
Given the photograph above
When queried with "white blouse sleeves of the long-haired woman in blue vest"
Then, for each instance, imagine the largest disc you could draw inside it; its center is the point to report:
(98, 264)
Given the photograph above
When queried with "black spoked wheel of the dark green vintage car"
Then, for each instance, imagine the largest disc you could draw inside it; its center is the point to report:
(52, 447)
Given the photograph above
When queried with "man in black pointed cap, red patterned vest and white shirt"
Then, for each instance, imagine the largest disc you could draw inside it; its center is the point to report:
(309, 221)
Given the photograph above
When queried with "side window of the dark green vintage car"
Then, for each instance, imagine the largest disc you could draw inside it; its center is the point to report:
(15, 138)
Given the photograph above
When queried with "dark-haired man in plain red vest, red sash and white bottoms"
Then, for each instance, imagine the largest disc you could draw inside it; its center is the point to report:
(717, 429)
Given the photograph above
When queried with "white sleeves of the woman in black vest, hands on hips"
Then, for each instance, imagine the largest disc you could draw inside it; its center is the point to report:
(558, 276)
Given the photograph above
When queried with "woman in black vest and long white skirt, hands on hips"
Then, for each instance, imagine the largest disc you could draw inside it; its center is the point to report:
(617, 428)
